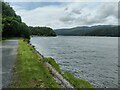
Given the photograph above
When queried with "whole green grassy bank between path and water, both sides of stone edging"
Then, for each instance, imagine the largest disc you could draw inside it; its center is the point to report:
(30, 70)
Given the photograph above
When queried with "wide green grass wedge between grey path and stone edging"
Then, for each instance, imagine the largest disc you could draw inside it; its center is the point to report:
(29, 70)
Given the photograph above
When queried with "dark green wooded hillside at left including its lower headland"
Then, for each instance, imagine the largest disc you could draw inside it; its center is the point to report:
(12, 25)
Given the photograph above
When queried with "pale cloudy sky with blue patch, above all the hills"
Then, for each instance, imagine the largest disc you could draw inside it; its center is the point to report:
(66, 14)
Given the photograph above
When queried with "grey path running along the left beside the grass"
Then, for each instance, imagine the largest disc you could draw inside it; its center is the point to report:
(9, 52)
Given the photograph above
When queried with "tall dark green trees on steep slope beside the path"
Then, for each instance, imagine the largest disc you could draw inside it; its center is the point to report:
(12, 24)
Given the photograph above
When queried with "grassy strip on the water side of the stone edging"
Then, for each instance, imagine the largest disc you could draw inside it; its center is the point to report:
(76, 82)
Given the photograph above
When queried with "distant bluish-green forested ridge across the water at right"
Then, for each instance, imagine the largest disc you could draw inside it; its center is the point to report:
(99, 30)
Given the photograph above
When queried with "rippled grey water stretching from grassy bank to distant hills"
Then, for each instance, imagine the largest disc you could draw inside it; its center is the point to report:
(94, 59)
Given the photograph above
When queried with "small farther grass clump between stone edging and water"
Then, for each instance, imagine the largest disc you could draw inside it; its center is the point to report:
(53, 63)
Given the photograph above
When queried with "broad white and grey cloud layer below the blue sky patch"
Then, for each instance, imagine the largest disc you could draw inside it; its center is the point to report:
(74, 14)
